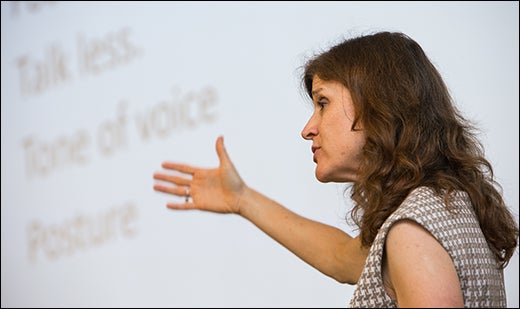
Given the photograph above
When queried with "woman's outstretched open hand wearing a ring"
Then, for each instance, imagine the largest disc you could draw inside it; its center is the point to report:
(217, 190)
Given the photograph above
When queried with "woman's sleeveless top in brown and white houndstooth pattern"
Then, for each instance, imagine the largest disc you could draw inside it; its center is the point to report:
(481, 278)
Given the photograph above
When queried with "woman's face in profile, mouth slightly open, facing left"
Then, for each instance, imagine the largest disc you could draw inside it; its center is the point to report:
(336, 148)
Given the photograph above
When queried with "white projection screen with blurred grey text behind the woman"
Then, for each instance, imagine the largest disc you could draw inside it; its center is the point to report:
(96, 95)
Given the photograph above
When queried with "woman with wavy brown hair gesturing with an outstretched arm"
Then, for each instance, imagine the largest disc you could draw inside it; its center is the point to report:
(434, 229)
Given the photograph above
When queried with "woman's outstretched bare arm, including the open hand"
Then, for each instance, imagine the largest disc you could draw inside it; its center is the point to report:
(326, 248)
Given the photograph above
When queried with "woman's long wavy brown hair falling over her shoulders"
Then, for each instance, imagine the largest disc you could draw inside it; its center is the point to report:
(415, 136)
